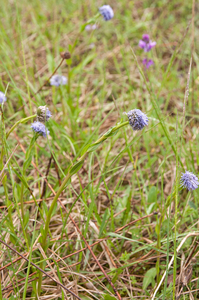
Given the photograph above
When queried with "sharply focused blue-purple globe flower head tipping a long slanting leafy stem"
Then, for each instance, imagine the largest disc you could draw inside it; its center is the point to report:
(137, 119)
